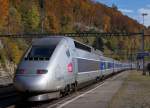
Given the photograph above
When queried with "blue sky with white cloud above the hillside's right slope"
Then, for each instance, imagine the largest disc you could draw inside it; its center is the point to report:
(132, 8)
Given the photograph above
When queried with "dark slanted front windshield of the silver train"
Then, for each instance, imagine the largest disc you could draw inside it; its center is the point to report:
(41, 52)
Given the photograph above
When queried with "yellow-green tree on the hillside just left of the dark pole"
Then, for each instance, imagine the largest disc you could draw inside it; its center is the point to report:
(30, 17)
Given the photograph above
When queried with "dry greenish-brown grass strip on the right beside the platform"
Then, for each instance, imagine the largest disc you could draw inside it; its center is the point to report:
(134, 93)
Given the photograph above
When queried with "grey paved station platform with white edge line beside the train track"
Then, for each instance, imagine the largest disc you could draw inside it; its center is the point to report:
(100, 96)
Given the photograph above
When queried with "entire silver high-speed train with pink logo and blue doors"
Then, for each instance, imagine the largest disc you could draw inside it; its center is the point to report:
(59, 65)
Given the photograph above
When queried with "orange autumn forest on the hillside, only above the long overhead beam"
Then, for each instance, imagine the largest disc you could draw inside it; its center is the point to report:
(19, 16)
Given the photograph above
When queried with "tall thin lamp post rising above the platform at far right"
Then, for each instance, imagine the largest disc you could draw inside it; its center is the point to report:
(142, 44)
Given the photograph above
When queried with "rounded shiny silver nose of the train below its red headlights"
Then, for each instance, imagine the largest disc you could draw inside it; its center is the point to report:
(30, 83)
